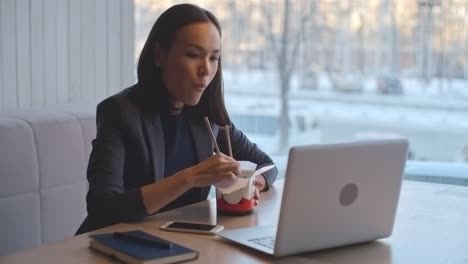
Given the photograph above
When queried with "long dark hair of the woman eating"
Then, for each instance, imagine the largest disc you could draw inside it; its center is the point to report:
(163, 32)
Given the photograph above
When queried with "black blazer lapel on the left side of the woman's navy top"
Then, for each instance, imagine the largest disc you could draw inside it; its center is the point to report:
(155, 136)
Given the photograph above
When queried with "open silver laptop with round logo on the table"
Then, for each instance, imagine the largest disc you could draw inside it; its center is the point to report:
(333, 195)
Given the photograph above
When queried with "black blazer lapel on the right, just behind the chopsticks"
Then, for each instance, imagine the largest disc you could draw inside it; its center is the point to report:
(202, 139)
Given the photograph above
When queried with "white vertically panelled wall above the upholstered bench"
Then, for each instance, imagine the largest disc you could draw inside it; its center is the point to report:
(61, 51)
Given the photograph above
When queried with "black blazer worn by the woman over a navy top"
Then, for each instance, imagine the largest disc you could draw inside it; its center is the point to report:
(128, 153)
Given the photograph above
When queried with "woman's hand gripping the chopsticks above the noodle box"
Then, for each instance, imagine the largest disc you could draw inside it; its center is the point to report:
(217, 168)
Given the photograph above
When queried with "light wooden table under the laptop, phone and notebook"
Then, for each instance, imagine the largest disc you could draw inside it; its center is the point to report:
(431, 227)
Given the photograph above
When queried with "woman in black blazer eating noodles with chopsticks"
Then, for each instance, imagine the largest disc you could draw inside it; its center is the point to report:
(152, 150)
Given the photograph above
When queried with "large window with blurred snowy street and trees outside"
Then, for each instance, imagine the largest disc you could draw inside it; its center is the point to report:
(334, 70)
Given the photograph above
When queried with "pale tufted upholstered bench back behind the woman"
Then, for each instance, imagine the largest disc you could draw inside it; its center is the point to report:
(43, 159)
